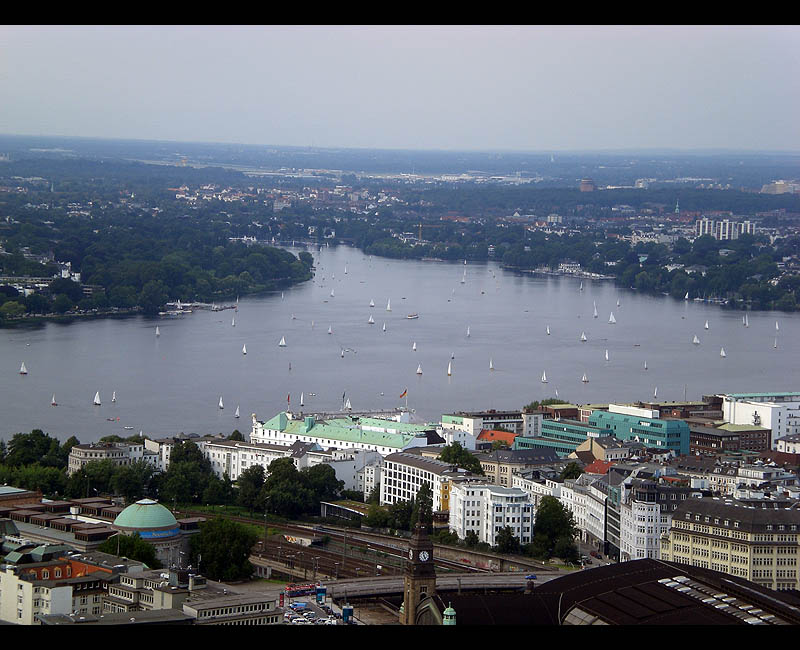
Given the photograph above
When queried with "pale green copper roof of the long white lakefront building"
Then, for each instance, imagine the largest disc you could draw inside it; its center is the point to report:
(347, 429)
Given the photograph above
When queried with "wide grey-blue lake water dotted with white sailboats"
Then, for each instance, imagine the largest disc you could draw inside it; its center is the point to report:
(172, 383)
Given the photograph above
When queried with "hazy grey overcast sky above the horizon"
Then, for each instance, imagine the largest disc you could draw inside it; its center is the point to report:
(471, 88)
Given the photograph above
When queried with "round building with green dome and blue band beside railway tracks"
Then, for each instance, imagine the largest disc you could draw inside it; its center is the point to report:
(156, 525)
